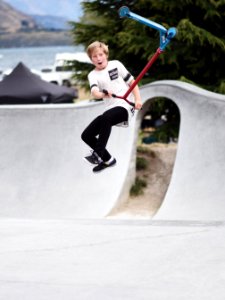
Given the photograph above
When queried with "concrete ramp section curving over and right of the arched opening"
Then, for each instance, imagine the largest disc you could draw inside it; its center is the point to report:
(197, 188)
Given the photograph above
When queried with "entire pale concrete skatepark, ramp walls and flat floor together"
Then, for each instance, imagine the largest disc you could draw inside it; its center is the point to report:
(54, 240)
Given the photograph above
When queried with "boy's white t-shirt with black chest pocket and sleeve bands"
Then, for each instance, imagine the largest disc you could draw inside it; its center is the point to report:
(115, 78)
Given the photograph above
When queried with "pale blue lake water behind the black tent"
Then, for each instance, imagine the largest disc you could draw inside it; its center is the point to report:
(33, 57)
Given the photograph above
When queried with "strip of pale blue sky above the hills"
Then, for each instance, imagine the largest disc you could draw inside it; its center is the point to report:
(70, 9)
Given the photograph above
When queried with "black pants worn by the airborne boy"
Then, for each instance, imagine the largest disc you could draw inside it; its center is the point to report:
(97, 133)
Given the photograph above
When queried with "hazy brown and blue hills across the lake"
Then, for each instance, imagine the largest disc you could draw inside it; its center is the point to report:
(20, 30)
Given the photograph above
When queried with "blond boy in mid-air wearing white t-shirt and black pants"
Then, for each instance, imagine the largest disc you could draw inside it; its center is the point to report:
(112, 78)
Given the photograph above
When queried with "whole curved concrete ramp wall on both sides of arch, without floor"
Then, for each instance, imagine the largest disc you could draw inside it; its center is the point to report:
(42, 174)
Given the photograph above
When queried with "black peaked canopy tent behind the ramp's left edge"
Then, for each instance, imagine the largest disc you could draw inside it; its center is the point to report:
(22, 86)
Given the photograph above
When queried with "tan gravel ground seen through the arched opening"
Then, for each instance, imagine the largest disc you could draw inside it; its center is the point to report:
(160, 161)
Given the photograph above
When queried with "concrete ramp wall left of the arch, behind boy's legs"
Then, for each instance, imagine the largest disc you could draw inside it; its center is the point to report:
(42, 171)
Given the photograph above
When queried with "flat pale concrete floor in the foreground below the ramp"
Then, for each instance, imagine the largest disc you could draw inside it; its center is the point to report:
(108, 260)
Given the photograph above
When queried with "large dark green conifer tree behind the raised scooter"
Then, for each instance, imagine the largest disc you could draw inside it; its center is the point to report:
(194, 55)
